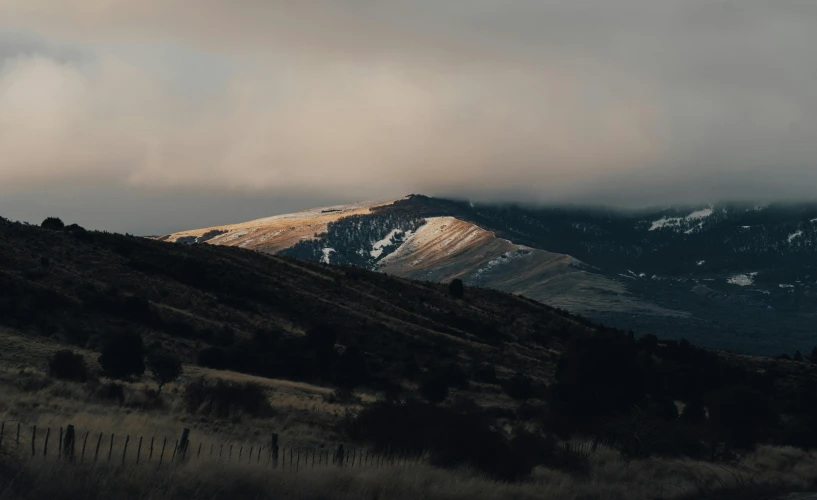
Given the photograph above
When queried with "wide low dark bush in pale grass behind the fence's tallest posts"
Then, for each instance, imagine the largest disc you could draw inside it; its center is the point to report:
(222, 399)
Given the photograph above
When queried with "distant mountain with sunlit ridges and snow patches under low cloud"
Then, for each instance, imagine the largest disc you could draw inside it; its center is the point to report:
(740, 277)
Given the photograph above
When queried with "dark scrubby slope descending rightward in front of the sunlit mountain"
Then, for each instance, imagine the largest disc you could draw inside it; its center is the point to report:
(78, 286)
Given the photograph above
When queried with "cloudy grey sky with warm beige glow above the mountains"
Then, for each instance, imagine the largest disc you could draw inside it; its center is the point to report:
(160, 115)
